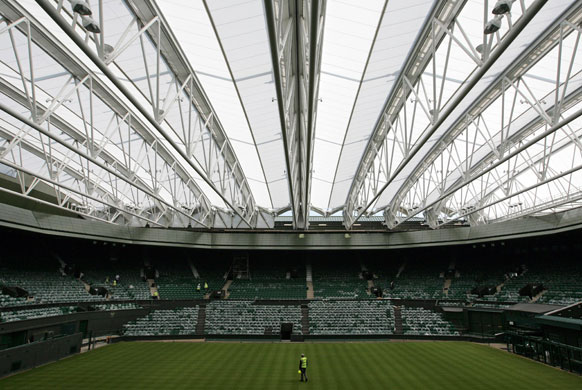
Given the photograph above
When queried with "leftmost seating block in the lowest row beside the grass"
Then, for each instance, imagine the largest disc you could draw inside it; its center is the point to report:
(181, 321)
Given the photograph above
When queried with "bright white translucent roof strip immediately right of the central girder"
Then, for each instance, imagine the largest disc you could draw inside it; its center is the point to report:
(349, 32)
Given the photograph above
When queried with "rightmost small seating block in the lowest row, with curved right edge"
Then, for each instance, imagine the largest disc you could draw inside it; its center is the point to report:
(419, 321)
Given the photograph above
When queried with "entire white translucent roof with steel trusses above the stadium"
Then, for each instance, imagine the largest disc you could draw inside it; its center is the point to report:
(225, 114)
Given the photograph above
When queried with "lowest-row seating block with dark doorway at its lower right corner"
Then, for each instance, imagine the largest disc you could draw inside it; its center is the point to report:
(245, 318)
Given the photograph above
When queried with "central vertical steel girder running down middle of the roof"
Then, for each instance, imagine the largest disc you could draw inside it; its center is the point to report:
(295, 33)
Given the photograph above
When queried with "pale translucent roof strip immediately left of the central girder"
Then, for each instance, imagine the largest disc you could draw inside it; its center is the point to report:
(242, 31)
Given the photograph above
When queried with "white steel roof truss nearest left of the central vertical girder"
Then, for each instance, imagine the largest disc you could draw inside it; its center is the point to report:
(145, 63)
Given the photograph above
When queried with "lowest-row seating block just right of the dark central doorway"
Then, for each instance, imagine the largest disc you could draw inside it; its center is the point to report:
(351, 318)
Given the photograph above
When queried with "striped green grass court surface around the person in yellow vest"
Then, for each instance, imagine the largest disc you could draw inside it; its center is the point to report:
(382, 365)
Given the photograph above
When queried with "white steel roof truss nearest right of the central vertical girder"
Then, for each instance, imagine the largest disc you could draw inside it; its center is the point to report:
(421, 120)
